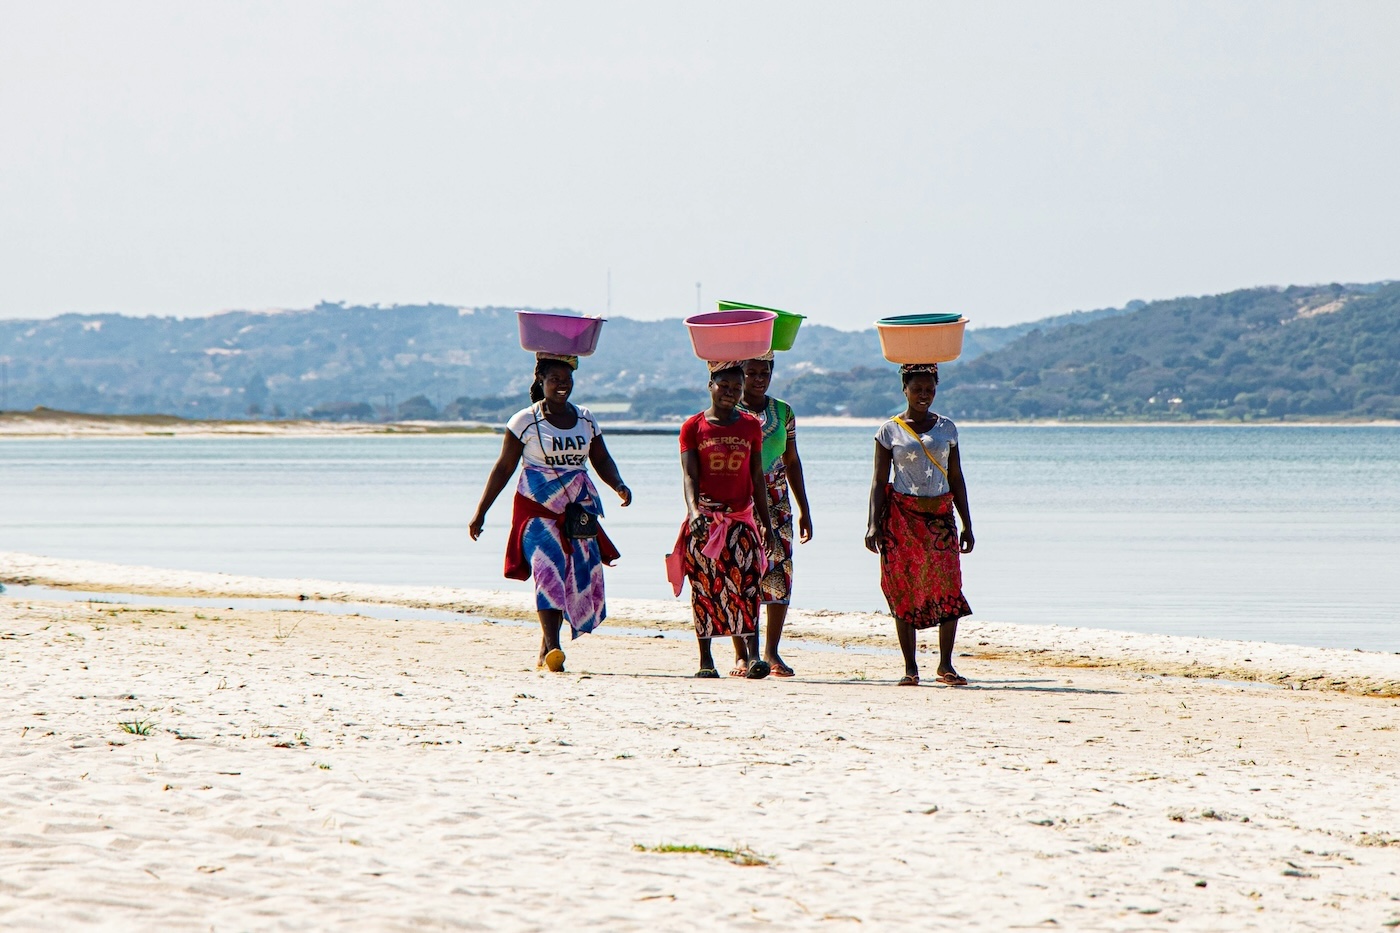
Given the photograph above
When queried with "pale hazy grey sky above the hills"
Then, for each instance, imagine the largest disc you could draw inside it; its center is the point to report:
(846, 160)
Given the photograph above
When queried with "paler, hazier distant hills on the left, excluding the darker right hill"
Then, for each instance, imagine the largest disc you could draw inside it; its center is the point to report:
(363, 364)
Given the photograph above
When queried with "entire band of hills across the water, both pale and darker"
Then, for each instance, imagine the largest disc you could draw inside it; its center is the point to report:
(1294, 352)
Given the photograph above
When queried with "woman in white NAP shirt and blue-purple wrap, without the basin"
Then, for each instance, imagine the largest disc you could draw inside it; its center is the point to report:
(555, 533)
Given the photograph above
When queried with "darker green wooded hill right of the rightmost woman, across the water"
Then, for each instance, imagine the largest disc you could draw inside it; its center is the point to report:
(1300, 352)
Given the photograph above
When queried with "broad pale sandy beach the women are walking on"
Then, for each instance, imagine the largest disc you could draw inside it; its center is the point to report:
(201, 768)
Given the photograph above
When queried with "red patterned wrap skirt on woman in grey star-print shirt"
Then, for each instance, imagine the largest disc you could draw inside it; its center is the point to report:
(919, 564)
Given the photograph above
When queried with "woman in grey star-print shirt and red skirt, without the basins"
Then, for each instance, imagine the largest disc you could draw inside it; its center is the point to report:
(912, 523)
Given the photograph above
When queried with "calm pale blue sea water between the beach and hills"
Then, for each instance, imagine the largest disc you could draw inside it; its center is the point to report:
(1283, 534)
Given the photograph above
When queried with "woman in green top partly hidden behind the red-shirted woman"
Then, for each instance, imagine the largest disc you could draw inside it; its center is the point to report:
(783, 477)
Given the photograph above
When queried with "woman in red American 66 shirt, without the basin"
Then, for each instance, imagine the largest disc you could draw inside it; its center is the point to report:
(722, 551)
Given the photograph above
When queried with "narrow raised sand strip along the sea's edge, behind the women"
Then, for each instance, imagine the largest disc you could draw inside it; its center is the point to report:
(1296, 668)
